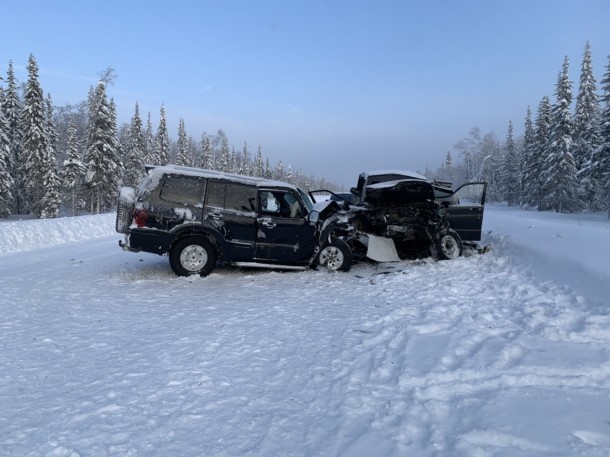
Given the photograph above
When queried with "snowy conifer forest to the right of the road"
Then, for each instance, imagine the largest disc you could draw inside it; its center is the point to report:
(562, 161)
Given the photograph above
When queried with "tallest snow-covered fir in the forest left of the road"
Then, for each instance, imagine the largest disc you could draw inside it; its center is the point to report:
(34, 140)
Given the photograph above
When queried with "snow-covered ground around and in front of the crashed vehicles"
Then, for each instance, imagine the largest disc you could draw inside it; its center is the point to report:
(107, 353)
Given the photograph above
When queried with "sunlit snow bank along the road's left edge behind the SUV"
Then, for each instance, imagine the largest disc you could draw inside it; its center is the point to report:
(34, 234)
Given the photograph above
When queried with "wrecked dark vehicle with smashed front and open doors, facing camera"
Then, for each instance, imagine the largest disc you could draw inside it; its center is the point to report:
(397, 215)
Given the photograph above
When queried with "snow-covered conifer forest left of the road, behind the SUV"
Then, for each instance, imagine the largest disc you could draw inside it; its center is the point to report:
(69, 159)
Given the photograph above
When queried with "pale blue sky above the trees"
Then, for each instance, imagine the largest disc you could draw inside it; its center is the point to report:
(334, 87)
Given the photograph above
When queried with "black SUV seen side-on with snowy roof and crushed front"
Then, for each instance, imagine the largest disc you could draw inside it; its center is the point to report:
(198, 217)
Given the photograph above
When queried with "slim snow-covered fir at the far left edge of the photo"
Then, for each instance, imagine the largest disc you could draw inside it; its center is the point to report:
(12, 108)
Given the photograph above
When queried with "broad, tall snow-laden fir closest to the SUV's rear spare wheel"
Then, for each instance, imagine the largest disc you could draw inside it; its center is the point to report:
(102, 154)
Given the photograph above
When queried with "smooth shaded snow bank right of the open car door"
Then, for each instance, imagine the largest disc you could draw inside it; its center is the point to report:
(569, 249)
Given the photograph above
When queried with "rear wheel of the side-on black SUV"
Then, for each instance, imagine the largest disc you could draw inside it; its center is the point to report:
(193, 255)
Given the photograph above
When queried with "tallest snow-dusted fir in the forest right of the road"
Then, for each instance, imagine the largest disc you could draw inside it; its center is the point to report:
(587, 135)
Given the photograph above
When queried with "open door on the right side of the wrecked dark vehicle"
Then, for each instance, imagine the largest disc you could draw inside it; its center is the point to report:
(465, 210)
